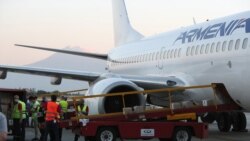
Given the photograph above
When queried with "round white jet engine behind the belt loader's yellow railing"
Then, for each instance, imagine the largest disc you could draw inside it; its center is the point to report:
(112, 104)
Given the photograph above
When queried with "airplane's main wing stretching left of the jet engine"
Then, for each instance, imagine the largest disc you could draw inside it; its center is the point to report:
(57, 74)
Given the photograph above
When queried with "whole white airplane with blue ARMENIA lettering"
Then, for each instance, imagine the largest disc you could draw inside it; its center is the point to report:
(214, 51)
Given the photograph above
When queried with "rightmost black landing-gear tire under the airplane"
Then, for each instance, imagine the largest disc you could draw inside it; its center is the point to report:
(239, 122)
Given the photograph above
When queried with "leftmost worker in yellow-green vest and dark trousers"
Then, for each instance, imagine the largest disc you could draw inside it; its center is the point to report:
(18, 115)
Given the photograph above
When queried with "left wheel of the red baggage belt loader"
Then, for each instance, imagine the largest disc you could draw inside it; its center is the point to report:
(106, 134)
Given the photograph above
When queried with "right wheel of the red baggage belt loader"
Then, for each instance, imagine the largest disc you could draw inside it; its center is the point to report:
(182, 134)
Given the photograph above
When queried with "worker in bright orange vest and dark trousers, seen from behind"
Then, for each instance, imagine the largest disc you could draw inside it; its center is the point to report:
(51, 119)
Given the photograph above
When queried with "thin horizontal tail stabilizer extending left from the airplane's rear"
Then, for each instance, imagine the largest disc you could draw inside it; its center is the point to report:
(92, 55)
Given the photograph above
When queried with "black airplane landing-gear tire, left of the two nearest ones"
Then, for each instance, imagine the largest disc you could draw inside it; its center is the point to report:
(224, 122)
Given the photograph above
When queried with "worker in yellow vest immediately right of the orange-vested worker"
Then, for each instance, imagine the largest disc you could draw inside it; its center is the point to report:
(64, 109)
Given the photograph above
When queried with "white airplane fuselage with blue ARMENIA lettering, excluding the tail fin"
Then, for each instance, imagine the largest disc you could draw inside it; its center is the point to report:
(216, 51)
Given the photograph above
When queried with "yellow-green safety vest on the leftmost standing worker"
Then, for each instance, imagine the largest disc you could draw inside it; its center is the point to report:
(16, 114)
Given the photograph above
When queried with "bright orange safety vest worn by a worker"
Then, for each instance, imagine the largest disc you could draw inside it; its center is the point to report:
(51, 113)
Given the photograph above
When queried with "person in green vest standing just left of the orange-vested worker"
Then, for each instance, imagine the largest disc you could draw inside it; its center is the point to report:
(34, 111)
